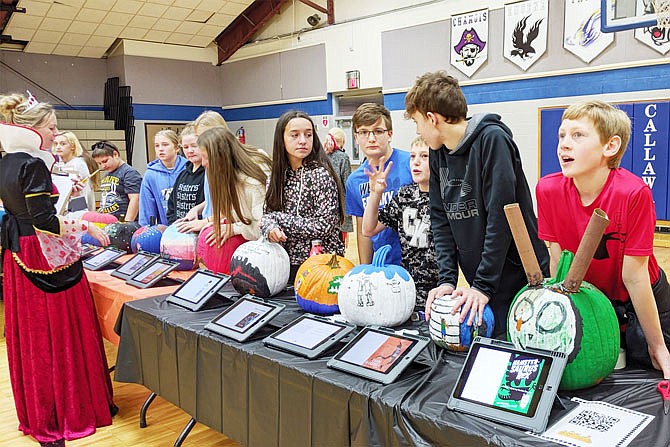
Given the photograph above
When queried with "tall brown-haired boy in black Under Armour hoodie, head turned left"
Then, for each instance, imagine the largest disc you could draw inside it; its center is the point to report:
(475, 170)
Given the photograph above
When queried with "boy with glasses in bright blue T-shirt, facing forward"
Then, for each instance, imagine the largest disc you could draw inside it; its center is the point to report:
(373, 131)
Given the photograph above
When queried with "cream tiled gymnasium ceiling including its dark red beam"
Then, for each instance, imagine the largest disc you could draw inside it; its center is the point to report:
(91, 28)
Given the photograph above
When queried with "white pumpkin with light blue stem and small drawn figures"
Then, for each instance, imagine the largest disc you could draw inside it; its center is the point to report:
(377, 293)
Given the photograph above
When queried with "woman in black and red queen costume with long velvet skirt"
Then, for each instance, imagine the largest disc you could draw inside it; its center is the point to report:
(57, 364)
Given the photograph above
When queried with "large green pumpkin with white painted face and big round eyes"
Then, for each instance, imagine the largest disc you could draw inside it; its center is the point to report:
(582, 325)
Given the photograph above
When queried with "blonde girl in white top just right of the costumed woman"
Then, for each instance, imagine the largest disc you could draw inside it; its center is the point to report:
(72, 161)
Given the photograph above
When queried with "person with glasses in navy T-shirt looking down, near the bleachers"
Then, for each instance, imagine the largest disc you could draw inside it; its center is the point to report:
(121, 186)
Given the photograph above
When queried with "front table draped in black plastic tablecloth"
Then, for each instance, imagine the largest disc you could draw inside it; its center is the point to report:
(258, 396)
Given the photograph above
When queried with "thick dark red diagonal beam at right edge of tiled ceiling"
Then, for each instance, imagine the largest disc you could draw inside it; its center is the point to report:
(245, 26)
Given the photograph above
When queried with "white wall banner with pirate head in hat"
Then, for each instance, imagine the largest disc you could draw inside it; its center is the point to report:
(469, 34)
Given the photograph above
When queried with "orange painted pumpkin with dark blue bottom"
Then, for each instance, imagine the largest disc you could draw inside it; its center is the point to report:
(318, 282)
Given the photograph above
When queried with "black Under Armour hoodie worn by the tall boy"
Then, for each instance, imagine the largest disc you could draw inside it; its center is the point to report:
(469, 187)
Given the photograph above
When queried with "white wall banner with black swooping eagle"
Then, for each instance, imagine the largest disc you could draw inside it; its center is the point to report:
(525, 36)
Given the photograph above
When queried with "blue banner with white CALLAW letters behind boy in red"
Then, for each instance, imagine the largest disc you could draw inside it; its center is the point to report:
(646, 154)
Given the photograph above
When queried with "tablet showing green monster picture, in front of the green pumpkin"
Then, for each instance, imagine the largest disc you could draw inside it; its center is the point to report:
(508, 385)
